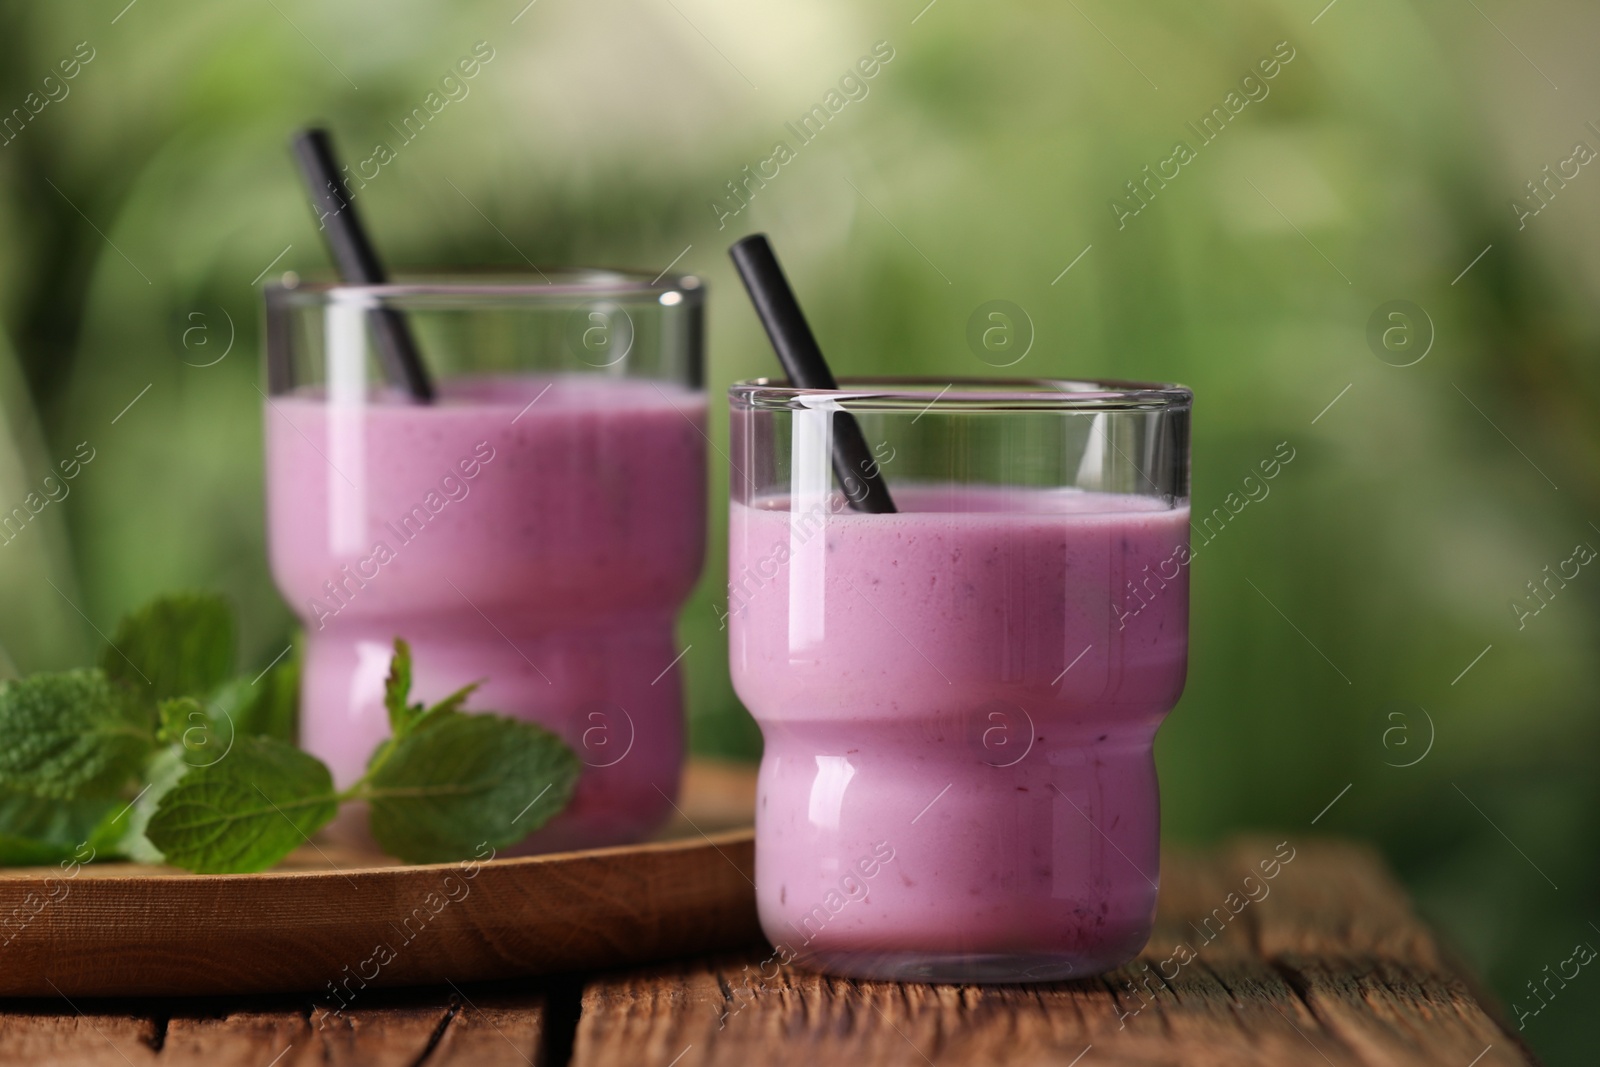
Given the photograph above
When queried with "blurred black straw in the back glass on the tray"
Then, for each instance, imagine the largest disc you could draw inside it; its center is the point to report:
(358, 262)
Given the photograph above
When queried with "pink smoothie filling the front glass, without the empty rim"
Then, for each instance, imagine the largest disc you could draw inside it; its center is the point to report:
(959, 705)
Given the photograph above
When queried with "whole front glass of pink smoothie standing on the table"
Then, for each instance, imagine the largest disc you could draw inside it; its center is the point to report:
(959, 700)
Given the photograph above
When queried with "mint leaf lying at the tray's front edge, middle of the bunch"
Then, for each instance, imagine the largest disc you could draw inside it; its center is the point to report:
(246, 812)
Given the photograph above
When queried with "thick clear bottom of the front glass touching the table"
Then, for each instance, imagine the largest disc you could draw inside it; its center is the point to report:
(958, 969)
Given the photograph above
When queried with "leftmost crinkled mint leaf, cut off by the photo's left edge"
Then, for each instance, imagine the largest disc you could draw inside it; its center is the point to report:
(70, 735)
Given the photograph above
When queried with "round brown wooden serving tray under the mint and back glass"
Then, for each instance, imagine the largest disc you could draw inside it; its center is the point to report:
(335, 922)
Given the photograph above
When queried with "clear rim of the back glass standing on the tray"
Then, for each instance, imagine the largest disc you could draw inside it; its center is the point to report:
(558, 286)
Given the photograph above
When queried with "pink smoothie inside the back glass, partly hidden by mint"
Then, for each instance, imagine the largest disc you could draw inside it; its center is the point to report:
(538, 535)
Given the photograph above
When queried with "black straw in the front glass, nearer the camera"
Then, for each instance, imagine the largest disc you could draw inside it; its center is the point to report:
(807, 369)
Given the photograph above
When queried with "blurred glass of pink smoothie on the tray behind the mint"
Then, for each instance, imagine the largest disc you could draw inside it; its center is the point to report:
(537, 529)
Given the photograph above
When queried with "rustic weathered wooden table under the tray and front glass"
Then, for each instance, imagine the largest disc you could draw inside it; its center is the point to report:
(1322, 964)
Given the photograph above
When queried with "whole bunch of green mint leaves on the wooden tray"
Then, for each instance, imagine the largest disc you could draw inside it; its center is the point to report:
(162, 754)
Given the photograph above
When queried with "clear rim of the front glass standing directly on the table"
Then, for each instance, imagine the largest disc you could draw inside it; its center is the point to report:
(962, 394)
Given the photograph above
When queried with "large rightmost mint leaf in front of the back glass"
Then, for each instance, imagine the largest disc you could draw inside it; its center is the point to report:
(457, 781)
